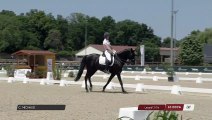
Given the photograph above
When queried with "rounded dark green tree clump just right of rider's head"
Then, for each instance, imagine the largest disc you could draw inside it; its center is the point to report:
(129, 32)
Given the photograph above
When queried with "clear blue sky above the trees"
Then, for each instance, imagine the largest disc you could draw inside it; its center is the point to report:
(191, 15)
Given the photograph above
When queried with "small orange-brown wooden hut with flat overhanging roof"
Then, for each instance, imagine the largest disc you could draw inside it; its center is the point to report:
(36, 60)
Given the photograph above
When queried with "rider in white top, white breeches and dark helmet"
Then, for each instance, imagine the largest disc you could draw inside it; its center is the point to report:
(109, 51)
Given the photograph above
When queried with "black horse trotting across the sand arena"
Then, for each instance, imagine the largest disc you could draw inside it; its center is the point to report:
(91, 62)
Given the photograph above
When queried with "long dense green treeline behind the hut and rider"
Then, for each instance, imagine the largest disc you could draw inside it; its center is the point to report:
(38, 30)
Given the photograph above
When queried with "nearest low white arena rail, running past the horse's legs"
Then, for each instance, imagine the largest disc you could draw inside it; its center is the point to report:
(140, 87)
